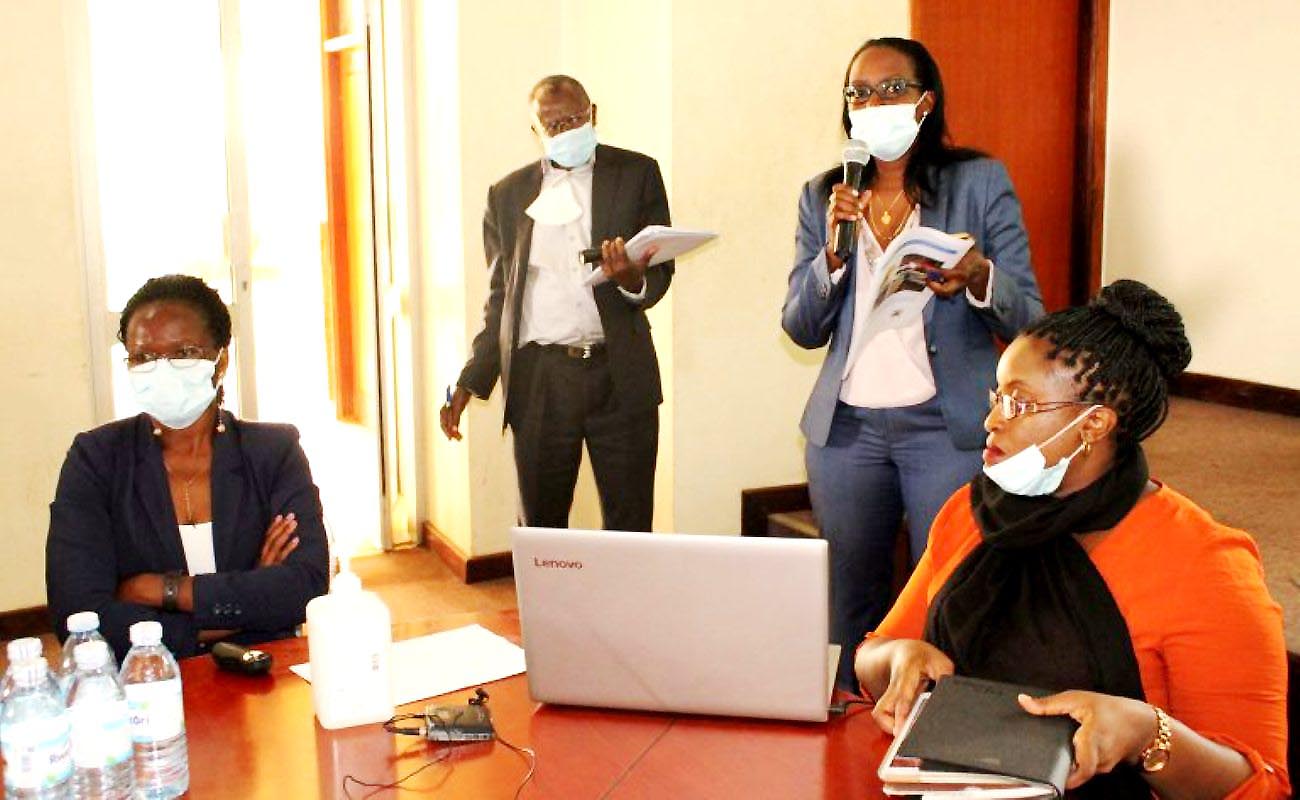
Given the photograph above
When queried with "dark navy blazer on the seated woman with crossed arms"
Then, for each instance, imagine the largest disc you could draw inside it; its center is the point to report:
(114, 518)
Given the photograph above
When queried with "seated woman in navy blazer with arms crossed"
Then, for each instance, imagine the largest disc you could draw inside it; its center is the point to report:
(185, 514)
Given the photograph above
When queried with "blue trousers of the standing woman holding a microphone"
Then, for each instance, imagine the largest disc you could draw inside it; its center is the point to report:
(877, 465)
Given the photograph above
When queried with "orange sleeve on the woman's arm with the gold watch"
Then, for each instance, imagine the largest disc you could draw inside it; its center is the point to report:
(1227, 664)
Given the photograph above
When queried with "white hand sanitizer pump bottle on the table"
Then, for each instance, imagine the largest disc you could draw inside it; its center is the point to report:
(349, 638)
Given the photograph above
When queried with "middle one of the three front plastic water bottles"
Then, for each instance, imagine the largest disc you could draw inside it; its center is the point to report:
(103, 768)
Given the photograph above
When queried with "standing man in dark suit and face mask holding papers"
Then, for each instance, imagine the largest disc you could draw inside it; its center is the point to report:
(577, 361)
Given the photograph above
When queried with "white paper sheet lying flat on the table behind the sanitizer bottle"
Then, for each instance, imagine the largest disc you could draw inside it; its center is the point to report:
(437, 664)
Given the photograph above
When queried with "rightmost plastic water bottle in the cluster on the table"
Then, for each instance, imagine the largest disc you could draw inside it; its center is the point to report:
(153, 684)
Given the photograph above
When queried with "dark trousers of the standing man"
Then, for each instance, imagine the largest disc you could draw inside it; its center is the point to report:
(562, 403)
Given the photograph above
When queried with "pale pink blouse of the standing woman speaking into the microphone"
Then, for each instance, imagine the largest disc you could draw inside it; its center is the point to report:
(892, 369)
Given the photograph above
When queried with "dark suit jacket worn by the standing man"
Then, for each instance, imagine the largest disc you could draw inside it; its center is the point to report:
(627, 194)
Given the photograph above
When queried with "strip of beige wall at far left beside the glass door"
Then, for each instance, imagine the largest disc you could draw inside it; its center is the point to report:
(44, 340)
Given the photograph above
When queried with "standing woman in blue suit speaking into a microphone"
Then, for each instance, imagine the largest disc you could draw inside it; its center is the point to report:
(896, 427)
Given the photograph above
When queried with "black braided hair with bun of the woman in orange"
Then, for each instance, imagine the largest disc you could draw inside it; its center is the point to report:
(1124, 347)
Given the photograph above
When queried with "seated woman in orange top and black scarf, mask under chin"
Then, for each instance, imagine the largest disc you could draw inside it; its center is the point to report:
(1150, 620)
